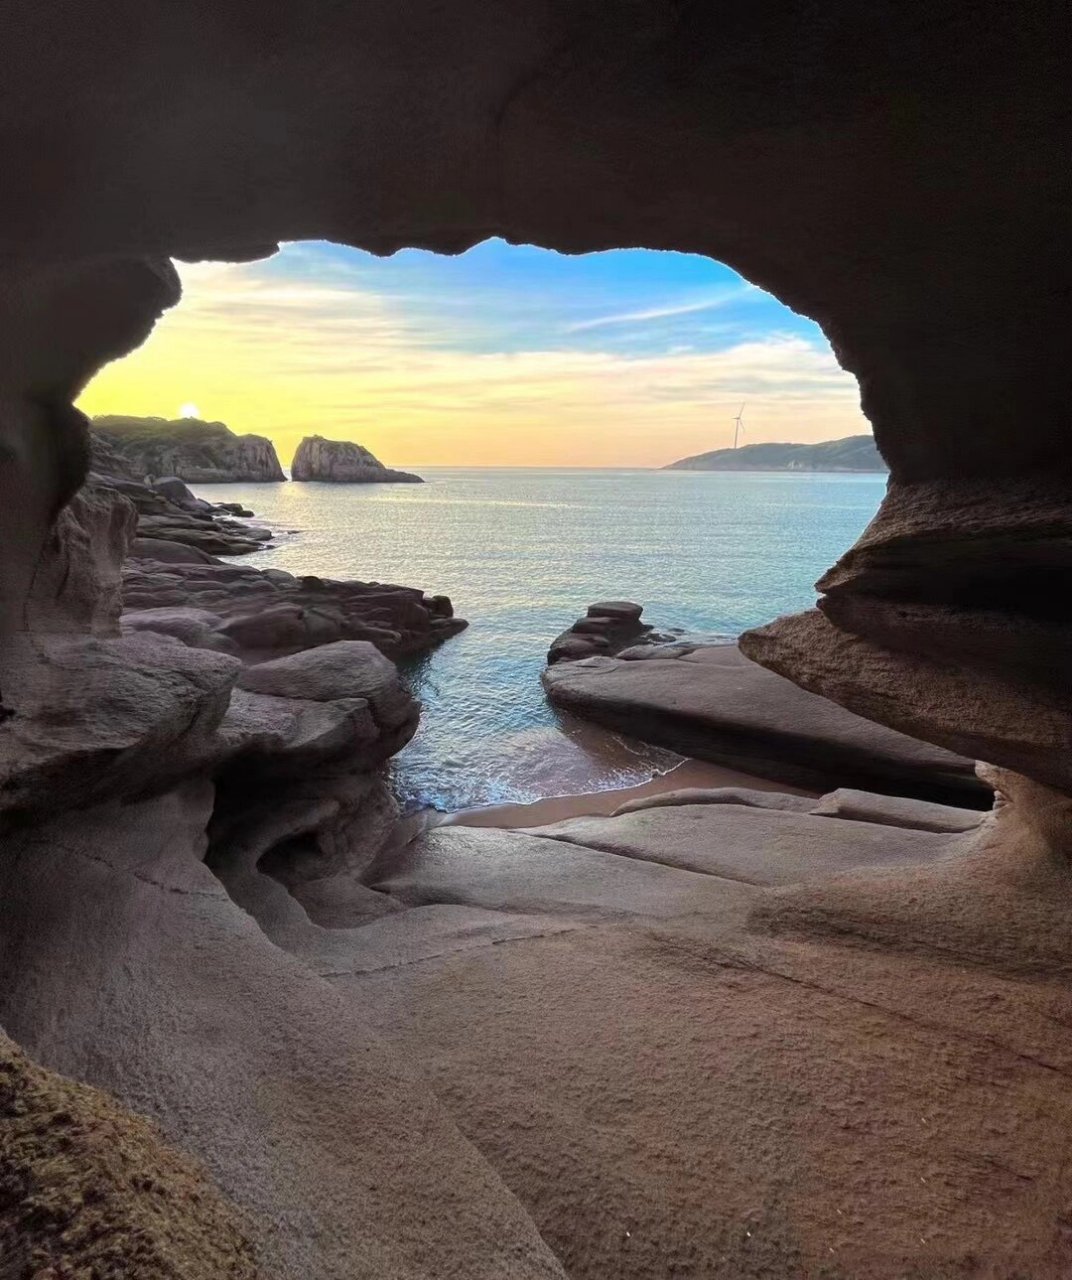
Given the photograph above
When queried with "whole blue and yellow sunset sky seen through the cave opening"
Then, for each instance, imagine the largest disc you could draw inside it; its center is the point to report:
(502, 356)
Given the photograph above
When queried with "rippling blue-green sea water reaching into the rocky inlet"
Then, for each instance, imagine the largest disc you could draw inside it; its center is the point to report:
(523, 554)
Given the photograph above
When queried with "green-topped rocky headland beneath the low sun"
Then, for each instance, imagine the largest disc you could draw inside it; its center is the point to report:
(189, 449)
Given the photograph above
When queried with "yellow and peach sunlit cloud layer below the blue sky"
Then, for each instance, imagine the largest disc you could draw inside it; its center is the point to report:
(287, 355)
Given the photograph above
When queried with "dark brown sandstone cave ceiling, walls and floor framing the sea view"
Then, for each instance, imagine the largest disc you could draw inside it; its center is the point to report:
(739, 1071)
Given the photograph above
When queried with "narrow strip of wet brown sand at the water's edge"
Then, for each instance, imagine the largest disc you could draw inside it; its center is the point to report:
(689, 774)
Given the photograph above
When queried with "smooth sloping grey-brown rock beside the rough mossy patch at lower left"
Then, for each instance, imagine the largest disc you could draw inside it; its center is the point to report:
(150, 982)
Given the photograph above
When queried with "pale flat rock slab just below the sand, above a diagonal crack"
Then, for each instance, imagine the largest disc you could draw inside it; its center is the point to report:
(753, 845)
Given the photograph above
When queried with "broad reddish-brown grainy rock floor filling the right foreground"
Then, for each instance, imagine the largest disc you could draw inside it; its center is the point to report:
(675, 1108)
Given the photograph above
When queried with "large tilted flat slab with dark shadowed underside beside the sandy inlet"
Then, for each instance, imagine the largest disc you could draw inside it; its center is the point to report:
(714, 705)
